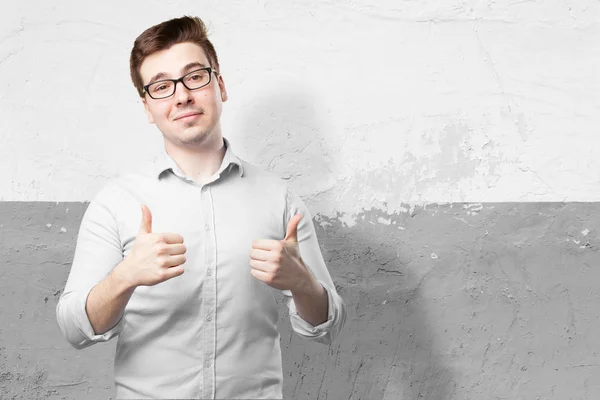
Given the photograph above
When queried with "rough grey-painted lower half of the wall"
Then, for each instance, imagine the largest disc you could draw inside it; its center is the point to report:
(461, 301)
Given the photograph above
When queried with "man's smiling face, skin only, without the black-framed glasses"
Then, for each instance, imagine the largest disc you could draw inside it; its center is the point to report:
(188, 117)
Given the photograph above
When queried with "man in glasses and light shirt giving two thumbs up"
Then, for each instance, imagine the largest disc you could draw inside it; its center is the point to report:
(182, 261)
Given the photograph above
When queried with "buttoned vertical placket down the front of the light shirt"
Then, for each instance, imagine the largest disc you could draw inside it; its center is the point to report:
(209, 294)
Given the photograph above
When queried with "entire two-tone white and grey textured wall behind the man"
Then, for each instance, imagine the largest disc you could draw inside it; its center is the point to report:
(447, 150)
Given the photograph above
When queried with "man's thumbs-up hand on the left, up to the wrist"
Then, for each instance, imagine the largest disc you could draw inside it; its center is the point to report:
(154, 257)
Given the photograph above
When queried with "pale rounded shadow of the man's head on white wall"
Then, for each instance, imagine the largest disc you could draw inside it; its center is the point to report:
(283, 128)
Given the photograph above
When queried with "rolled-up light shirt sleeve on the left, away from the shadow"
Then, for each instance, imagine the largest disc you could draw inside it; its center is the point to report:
(97, 252)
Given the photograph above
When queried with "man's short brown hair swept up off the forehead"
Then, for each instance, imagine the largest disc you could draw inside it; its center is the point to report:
(163, 36)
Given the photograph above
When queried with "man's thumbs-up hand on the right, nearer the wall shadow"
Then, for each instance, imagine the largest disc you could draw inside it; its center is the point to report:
(278, 263)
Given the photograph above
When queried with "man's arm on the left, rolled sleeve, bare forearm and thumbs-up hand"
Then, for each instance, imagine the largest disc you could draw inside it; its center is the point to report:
(154, 258)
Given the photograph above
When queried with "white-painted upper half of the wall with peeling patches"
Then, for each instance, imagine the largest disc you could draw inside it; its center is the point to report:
(361, 103)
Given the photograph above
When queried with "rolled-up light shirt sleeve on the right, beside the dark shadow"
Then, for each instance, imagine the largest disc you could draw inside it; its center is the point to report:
(311, 255)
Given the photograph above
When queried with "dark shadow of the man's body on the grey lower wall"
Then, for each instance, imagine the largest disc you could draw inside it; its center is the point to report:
(388, 349)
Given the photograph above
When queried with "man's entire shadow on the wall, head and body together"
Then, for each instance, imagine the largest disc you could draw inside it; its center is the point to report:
(387, 349)
